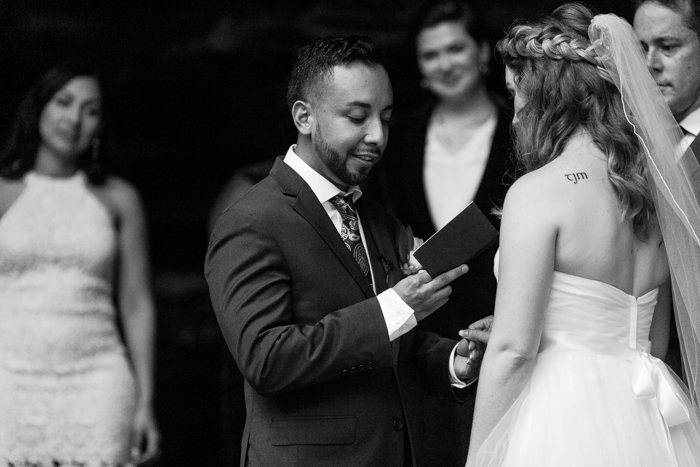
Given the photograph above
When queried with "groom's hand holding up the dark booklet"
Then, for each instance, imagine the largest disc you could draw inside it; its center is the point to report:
(425, 294)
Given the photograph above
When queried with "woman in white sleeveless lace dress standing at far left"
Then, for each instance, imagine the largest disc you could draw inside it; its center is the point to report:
(72, 244)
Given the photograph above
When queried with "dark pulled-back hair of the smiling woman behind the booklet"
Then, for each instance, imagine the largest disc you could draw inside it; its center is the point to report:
(434, 13)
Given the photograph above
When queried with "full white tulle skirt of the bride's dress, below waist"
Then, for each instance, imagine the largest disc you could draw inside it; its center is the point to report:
(581, 409)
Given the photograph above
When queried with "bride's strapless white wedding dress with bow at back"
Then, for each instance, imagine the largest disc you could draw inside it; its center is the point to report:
(596, 397)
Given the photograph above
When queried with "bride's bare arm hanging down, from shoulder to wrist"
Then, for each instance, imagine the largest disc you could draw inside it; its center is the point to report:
(527, 243)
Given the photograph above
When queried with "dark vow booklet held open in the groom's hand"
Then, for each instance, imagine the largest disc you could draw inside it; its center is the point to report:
(461, 240)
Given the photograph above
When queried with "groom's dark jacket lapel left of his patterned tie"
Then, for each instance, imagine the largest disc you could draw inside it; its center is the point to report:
(306, 204)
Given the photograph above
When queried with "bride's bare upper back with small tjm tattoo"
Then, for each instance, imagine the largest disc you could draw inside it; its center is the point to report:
(593, 239)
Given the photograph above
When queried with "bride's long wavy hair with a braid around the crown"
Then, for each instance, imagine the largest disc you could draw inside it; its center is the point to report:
(567, 90)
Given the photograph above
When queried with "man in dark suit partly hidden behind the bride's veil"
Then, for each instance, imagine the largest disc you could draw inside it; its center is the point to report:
(669, 31)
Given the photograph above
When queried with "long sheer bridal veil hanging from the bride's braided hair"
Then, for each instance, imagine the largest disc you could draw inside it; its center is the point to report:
(675, 176)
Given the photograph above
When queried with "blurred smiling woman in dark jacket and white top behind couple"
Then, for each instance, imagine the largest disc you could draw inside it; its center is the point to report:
(451, 150)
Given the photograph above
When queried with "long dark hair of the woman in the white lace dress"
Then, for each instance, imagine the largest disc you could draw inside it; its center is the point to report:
(19, 154)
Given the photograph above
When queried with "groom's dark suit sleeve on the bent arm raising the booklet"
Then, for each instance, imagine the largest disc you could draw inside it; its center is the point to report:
(282, 340)
